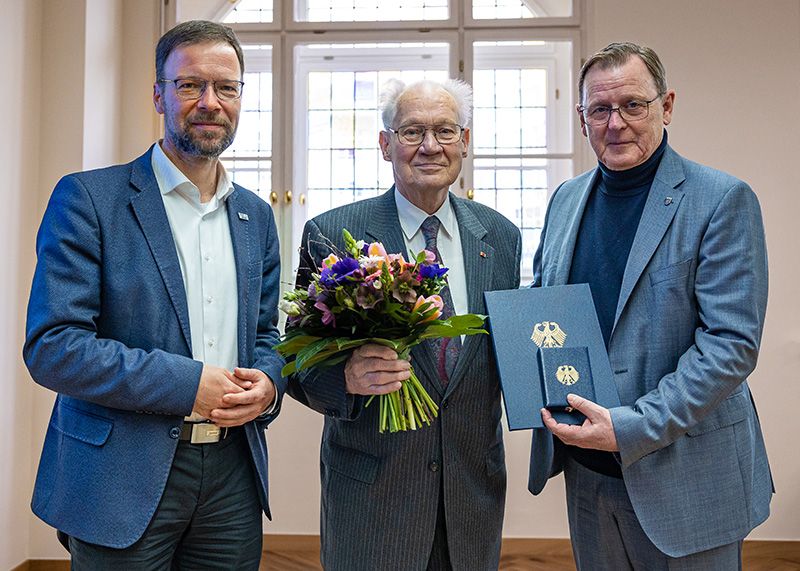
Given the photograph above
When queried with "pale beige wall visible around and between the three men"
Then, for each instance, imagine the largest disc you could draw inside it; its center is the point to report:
(732, 62)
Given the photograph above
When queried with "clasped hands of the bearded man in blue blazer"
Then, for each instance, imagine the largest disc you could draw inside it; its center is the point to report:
(232, 399)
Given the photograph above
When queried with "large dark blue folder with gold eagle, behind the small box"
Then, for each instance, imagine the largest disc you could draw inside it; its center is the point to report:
(564, 316)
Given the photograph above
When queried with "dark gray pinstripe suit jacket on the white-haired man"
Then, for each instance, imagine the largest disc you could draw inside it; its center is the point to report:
(380, 492)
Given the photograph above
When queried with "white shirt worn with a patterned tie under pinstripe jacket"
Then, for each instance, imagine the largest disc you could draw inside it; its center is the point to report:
(448, 243)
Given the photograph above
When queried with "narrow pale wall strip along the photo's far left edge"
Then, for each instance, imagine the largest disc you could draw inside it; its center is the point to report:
(20, 60)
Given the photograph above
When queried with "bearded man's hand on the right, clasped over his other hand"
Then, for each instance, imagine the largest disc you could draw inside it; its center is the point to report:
(245, 406)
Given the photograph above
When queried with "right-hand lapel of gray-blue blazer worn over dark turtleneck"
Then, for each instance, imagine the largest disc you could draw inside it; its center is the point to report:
(659, 210)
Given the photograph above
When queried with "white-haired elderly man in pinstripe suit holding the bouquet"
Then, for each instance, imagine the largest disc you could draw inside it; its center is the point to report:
(431, 498)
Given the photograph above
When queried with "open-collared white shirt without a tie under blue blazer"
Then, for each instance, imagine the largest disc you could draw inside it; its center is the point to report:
(205, 251)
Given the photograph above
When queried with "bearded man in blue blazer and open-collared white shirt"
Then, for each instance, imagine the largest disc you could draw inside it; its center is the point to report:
(153, 316)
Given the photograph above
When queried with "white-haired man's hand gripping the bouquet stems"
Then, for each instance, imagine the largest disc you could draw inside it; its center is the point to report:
(375, 370)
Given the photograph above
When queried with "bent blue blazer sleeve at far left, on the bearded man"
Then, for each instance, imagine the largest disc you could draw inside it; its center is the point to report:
(64, 350)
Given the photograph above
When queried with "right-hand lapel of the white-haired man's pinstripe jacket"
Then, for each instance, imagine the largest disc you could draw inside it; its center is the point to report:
(478, 267)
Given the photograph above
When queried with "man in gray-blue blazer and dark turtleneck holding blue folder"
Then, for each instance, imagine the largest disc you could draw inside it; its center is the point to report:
(674, 253)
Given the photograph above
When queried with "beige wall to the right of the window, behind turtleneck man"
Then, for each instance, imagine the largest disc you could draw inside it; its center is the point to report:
(734, 65)
